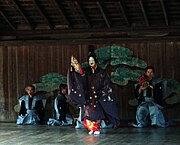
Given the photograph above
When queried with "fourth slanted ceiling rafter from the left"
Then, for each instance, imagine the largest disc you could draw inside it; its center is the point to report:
(60, 9)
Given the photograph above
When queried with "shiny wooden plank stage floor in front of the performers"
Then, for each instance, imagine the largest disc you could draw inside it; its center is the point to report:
(12, 134)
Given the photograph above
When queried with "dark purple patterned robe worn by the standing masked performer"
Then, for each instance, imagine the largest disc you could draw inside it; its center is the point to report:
(93, 92)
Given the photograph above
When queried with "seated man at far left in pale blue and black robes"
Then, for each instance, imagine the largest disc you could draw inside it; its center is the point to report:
(31, 107)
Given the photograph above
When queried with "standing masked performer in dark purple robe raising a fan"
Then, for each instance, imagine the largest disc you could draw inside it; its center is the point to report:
(91, 89)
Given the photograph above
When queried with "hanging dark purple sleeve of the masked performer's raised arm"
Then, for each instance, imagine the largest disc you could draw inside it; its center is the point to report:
(75, 82)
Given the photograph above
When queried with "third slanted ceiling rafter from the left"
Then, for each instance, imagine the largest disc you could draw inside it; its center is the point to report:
(39, 8)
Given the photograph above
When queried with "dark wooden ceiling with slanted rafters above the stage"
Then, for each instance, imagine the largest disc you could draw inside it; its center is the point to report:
(88, 19)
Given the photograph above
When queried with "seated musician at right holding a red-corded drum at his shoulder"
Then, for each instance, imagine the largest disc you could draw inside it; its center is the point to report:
(149, 93)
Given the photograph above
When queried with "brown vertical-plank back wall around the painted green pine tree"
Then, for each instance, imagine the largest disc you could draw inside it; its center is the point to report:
(24, 63)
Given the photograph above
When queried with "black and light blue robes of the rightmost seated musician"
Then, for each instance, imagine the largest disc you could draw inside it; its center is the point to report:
(149, 111)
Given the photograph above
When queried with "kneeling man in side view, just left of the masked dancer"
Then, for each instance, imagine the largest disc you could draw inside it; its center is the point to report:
(61, 108)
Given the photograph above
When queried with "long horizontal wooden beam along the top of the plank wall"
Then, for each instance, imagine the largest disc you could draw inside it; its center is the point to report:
(47, 41)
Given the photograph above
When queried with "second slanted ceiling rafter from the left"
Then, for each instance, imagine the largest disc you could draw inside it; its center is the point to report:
(19, 8)
